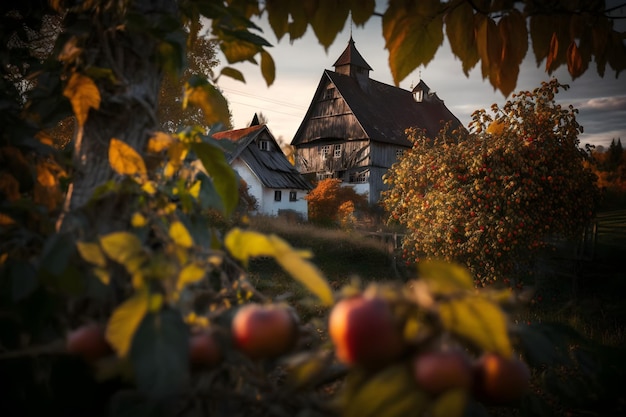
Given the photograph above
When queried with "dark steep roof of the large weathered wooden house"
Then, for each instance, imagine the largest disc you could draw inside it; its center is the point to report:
(383, 111)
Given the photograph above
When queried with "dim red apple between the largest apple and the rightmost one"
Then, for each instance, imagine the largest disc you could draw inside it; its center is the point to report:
(437, 372)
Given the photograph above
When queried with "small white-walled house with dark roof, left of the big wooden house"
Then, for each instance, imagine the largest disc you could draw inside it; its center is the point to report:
(272, 180)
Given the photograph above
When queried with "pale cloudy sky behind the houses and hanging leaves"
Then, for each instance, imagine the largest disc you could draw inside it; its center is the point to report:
(299, 67)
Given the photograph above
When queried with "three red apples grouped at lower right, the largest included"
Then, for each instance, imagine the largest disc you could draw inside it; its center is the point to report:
(366, 335)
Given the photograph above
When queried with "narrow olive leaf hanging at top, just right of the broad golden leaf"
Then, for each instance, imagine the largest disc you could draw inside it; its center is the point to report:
(460, 32)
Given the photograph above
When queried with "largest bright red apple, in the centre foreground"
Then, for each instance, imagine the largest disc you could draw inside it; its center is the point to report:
(365, 332)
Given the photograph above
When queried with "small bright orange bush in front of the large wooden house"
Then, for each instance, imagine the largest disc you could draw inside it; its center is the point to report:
(330, 203)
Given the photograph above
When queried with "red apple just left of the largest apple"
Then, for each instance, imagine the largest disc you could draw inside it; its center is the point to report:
(264, 331)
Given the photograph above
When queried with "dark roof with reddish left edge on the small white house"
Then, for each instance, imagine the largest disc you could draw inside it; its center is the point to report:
(271, 166)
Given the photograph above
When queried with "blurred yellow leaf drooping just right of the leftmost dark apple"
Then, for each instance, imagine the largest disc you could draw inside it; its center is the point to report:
(124, 321)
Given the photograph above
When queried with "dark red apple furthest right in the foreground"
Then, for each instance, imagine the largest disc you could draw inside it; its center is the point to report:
(498, 380)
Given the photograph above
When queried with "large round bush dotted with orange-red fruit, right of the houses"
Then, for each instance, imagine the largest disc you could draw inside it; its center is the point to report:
(488, 197)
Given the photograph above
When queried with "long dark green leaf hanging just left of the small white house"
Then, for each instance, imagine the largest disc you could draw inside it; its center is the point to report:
(224, 177)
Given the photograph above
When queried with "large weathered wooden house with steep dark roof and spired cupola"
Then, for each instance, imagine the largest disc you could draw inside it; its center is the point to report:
(354, 128)
